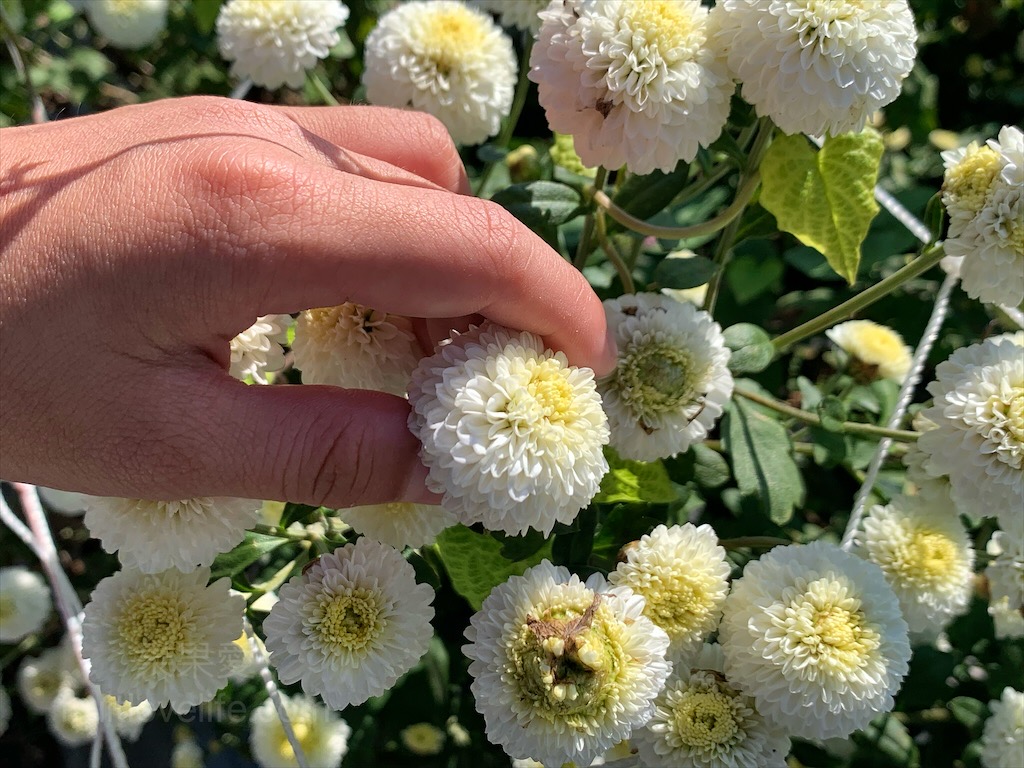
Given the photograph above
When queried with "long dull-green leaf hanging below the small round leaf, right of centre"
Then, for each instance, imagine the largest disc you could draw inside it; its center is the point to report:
(762, 461)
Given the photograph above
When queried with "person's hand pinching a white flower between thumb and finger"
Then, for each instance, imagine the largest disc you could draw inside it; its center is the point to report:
(138, 243)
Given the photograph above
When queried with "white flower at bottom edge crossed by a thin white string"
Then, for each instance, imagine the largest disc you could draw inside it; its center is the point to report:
(322, 735)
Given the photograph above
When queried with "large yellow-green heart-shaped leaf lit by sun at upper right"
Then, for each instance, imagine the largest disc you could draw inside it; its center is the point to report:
(825, 198)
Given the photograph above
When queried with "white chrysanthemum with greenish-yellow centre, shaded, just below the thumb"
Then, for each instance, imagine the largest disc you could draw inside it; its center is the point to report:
(351, 625)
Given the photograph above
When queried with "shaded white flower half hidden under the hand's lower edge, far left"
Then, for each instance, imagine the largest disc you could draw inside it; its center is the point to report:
(154, 536)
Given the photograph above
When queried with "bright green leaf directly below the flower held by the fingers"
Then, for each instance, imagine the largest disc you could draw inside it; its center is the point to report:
(475, 563)
